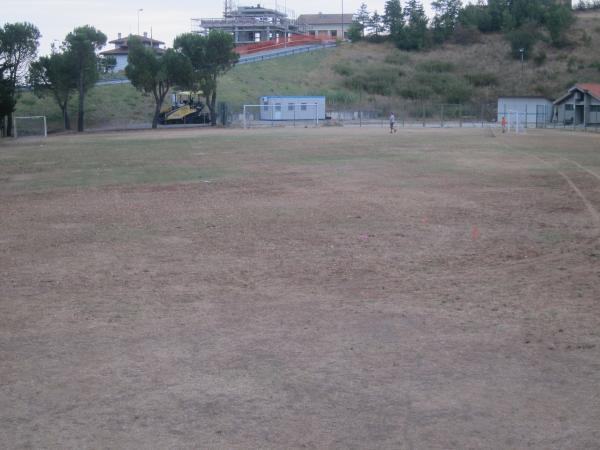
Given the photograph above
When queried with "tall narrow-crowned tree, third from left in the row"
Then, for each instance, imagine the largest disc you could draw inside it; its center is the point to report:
(82, 44)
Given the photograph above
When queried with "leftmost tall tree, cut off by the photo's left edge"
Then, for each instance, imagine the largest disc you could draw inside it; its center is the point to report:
(18, 47)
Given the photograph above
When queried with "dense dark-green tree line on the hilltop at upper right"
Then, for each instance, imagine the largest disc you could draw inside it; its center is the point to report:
(408, 27)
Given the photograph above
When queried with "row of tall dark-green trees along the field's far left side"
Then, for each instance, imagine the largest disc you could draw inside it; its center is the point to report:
(195, 62)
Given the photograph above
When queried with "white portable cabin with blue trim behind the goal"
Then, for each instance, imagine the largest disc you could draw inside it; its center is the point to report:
(292, 108)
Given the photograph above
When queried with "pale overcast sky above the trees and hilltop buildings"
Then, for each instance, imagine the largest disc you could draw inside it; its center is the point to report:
(56, 18)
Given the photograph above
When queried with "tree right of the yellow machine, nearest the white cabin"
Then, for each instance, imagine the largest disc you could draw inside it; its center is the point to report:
(211, 56)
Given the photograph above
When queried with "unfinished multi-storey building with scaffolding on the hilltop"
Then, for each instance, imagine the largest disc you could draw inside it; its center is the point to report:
(250, 24)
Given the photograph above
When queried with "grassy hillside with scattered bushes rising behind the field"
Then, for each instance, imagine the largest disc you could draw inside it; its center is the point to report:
(376, 76)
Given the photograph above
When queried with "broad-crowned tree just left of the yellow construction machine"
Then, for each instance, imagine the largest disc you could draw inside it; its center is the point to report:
(155, 74)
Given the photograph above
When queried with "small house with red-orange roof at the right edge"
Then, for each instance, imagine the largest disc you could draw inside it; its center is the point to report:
(580, 106)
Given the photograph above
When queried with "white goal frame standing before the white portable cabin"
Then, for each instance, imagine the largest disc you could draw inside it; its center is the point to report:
(288, 114)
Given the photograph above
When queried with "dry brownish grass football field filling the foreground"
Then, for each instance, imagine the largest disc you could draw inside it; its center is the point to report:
(307, 288)
